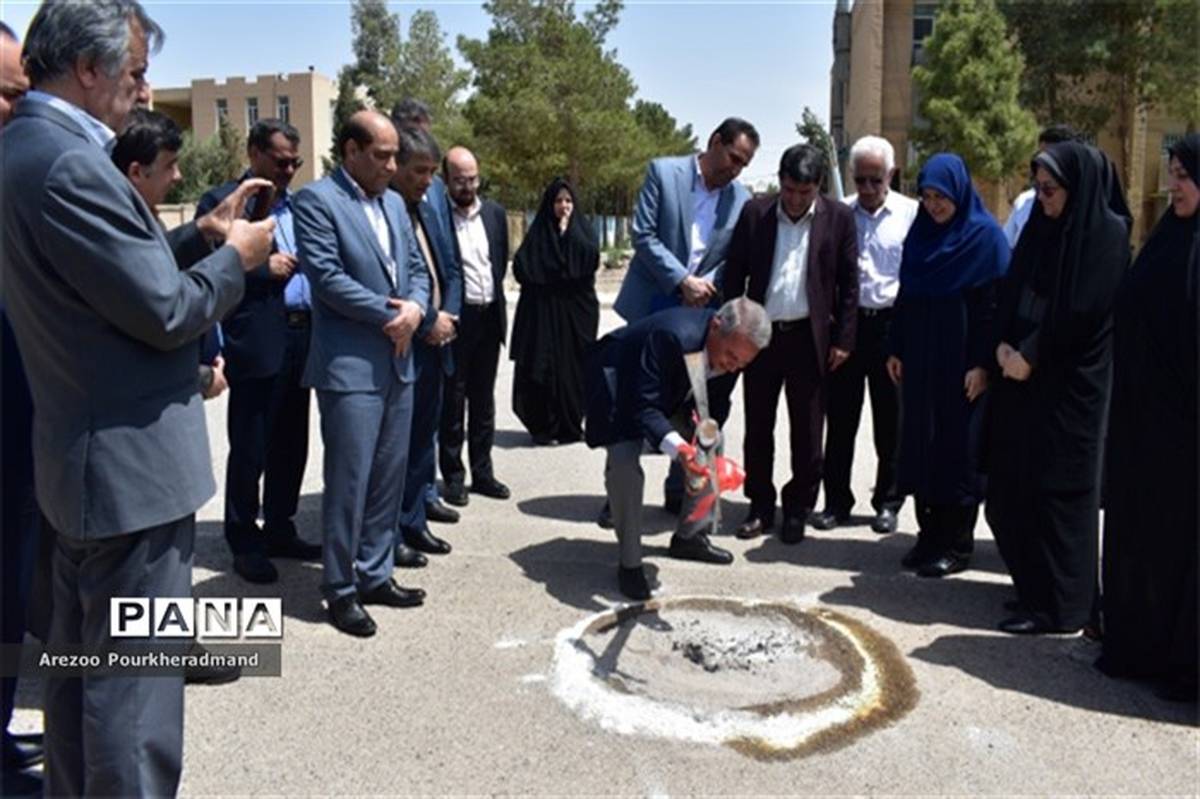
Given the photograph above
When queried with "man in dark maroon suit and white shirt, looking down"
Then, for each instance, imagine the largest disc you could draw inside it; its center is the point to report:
(797, 254)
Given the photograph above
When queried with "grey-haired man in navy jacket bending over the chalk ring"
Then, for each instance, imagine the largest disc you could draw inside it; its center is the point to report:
(638, 392)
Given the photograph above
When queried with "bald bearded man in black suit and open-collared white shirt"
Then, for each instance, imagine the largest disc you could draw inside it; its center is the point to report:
(482, 247)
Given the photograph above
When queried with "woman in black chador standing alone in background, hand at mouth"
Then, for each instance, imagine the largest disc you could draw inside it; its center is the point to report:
(557, 317)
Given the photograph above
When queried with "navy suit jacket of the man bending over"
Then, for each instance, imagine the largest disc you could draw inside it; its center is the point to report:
(637, 381)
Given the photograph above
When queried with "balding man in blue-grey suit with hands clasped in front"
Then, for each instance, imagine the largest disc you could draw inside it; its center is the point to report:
(370, 291)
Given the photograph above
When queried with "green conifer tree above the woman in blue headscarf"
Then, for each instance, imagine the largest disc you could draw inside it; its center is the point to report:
(969, 88)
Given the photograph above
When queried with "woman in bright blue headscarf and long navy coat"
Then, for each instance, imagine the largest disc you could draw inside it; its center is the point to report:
(941, 346)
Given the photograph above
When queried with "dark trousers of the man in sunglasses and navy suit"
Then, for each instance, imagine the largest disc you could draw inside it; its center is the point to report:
(268, 424)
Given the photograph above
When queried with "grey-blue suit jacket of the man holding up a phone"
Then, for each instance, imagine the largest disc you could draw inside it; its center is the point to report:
(107, 328)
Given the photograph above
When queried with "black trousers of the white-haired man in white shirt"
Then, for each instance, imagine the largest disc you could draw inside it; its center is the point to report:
(867, 364)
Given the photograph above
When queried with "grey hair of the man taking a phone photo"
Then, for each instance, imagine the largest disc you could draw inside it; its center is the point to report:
(64, 32)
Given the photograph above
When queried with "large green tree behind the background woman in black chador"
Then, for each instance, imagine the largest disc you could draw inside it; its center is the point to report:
(550, 100)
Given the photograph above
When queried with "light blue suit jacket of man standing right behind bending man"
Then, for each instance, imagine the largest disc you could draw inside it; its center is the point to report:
(663, 238)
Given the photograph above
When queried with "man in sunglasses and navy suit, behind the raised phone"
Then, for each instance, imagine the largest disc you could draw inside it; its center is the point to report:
(266, 350)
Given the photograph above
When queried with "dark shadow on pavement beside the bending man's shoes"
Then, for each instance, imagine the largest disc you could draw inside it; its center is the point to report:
(575, 572)
